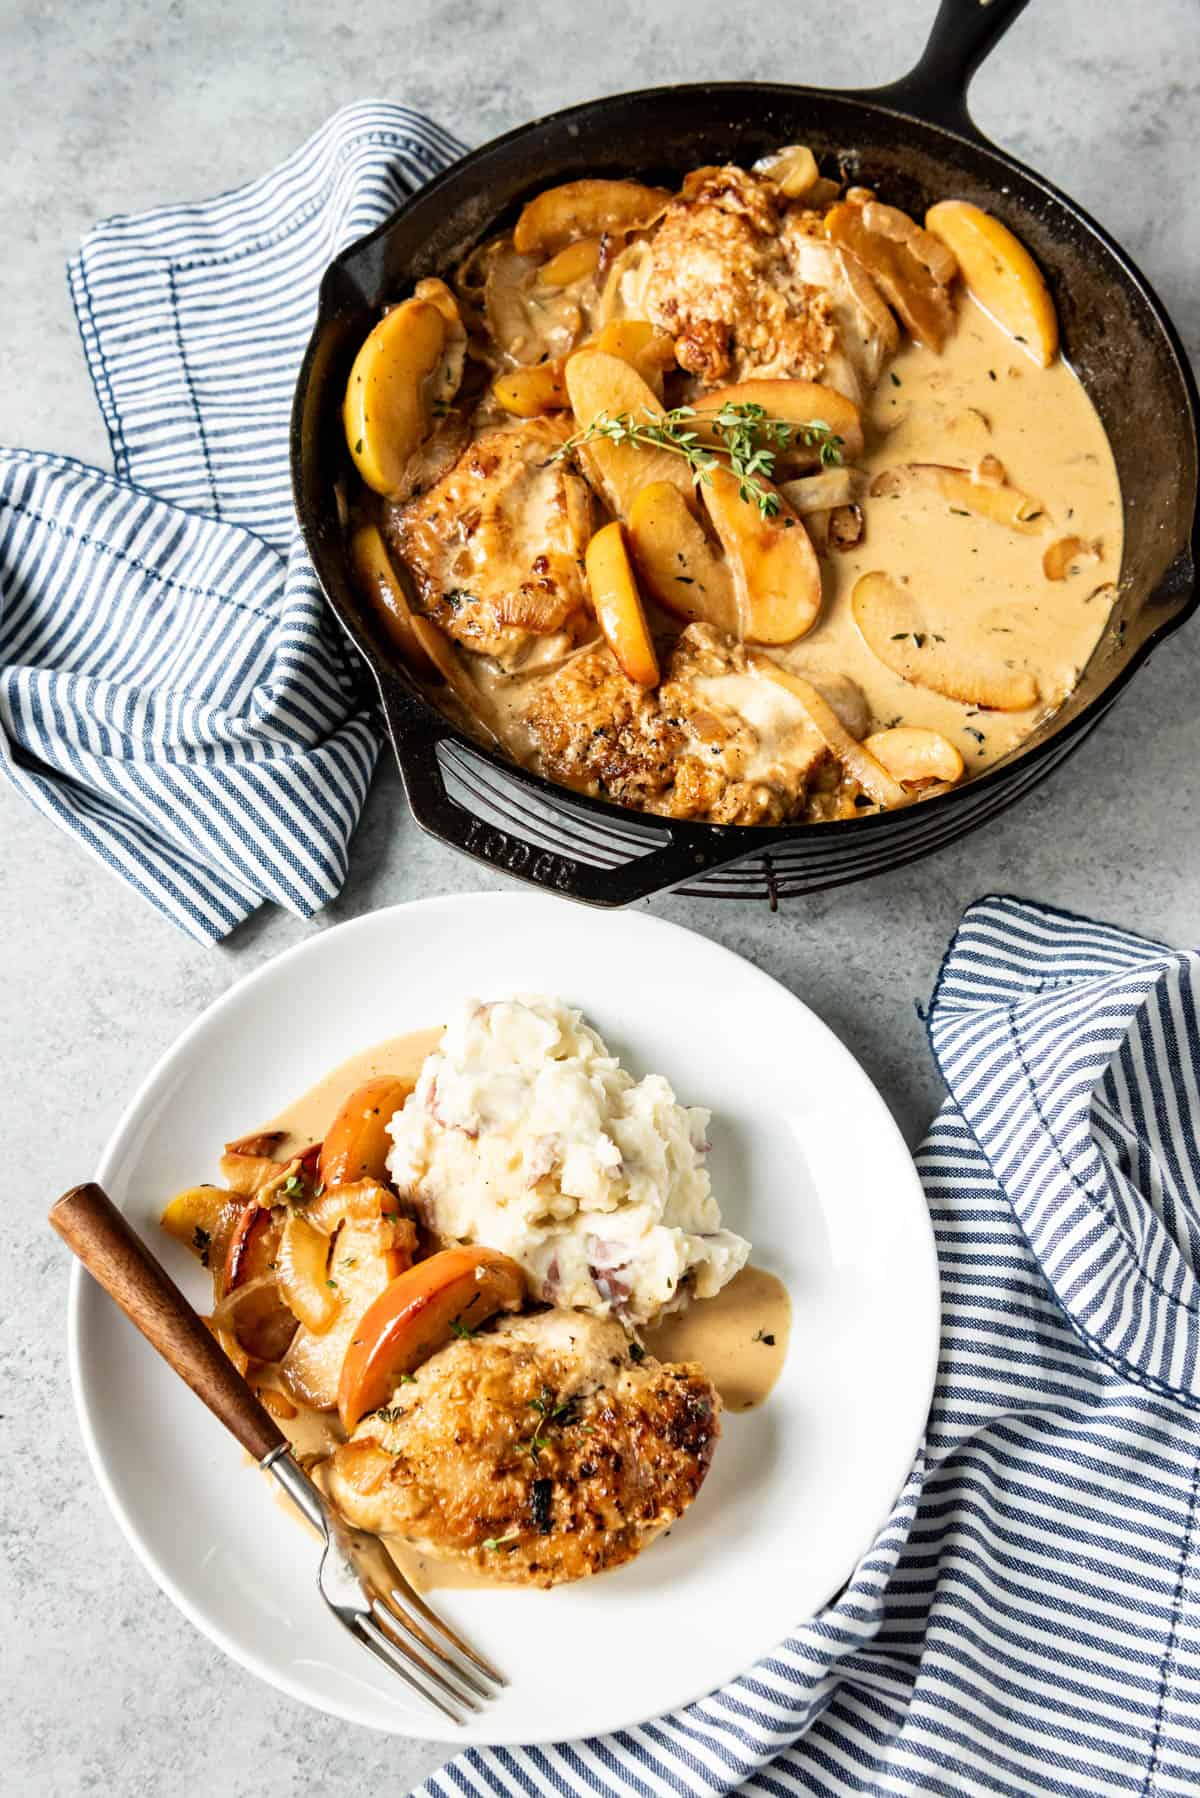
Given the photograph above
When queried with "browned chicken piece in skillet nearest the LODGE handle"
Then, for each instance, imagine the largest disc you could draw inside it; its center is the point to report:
(713, 742)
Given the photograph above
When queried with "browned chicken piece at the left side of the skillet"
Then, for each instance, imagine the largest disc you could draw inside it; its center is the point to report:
(496, 547)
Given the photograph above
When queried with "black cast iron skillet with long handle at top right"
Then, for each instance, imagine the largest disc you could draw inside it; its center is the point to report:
(915, 143)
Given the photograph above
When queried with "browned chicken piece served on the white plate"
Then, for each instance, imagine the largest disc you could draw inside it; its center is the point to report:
(537, 1454)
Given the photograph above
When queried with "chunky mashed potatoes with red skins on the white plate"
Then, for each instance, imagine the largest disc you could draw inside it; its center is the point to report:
(526, 1135)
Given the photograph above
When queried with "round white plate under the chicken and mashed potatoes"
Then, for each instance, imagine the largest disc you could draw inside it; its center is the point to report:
(807, 1162)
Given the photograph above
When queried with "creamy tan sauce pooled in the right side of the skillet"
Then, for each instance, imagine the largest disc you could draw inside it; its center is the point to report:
(985, 582)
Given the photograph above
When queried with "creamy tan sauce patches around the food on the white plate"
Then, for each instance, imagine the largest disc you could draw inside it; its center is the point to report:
(740, 1337)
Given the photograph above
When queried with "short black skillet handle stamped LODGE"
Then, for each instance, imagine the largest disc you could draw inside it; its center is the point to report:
(683, 857)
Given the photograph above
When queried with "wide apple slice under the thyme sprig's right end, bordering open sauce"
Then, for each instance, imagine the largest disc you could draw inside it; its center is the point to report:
(775, 565)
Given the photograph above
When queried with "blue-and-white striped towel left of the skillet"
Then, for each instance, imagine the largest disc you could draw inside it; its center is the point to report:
(172, 688)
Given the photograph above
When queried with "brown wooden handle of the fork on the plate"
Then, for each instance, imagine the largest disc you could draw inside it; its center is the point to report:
(120, 1261)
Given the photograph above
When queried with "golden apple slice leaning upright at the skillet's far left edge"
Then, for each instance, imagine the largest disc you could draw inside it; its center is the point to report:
(399, 377)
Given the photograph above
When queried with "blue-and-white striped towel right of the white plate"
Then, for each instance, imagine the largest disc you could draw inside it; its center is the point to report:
(1028, 1623)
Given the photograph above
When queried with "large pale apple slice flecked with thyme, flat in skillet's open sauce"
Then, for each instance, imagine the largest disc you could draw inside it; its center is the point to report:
(899, 632)
